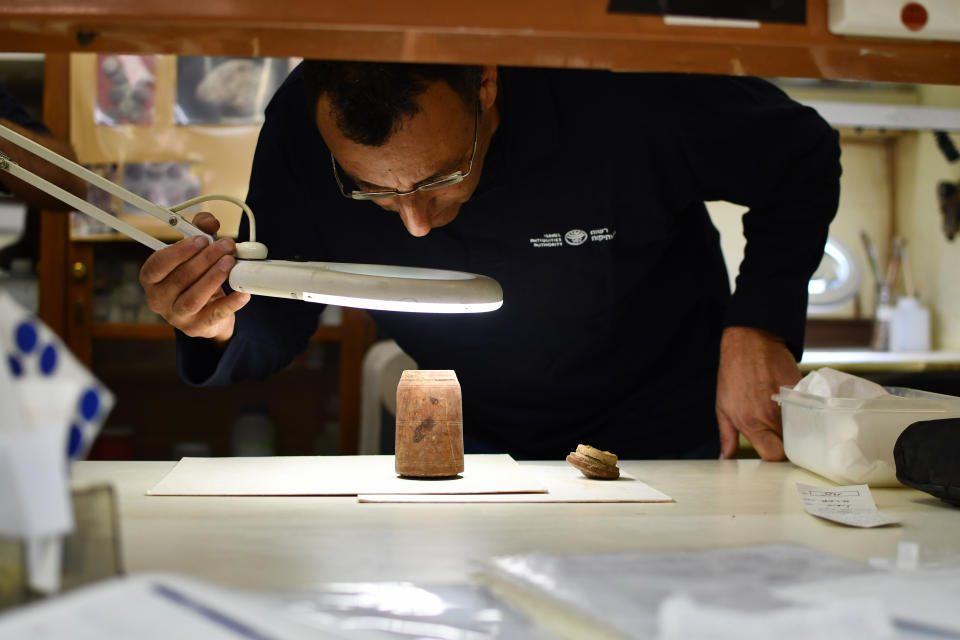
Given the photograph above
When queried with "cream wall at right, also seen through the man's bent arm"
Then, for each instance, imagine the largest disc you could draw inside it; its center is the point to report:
(865, 205)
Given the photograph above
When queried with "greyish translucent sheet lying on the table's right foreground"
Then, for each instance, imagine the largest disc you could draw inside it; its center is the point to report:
(623, 592)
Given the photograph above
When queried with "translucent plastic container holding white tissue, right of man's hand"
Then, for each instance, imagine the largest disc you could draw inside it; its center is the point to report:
(850, 440)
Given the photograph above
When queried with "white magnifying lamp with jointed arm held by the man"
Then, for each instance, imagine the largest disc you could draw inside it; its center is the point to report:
(389, 288)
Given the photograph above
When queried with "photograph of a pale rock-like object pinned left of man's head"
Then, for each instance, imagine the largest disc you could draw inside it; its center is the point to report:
(223, 90)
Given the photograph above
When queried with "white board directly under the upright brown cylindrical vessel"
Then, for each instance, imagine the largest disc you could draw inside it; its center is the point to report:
(336, 476)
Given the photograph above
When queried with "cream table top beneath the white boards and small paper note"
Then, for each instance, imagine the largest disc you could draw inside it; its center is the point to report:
(294, 543)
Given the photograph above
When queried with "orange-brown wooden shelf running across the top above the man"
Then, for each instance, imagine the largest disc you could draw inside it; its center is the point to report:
(541, 33)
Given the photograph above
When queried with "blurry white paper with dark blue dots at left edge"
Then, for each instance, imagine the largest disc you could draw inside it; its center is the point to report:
(51, 409)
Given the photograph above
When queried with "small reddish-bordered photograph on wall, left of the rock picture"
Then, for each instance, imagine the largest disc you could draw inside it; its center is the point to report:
(125, 89)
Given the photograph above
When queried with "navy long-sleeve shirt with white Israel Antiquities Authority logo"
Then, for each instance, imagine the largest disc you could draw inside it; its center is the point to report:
(590, 213)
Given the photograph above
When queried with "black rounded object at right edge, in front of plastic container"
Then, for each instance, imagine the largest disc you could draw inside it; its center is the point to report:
(927, 455)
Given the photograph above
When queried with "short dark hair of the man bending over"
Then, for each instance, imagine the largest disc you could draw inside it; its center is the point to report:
(371, 99)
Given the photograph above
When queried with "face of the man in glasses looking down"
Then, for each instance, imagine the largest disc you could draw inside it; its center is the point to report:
(434, 143)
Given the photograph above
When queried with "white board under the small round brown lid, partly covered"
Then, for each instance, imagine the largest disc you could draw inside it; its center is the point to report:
(563, 484)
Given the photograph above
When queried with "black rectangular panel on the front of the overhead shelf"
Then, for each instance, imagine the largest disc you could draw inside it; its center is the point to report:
(792, 11)
